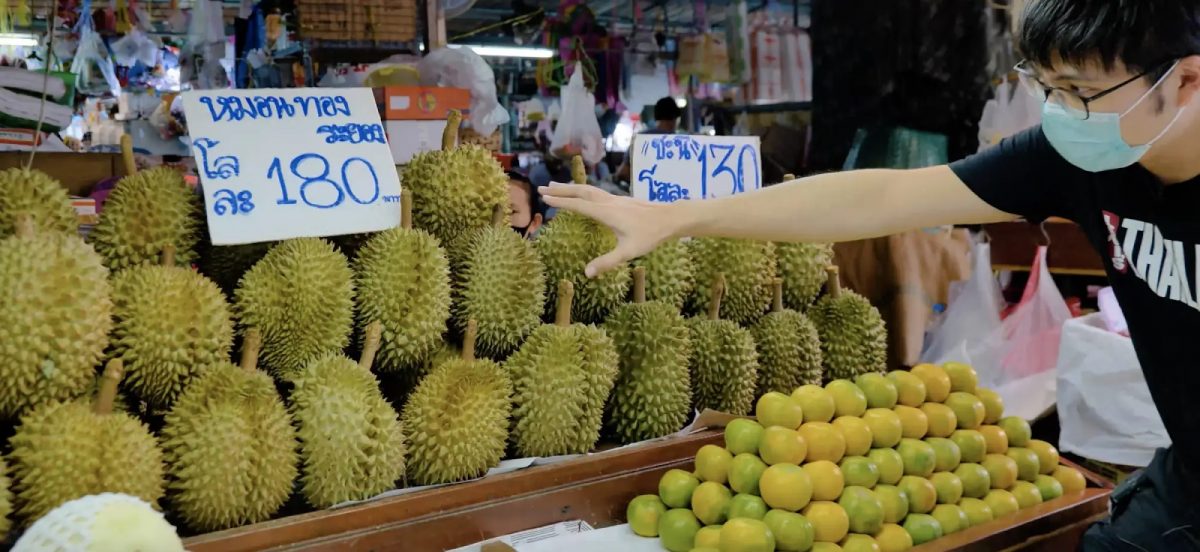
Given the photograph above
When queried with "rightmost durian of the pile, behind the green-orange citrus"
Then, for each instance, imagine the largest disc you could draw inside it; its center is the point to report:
(854, 338)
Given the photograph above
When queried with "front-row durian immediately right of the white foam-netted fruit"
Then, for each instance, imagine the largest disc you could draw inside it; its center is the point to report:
(230, 447)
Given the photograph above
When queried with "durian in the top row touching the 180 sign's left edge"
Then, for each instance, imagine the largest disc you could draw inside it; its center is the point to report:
(147, 213)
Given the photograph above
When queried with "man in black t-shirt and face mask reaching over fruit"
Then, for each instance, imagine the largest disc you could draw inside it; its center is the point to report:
(1119, 153)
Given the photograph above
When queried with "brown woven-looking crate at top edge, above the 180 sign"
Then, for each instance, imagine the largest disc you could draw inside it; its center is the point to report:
(358, 21)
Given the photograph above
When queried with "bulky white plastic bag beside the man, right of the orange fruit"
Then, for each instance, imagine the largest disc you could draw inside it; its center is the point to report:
(1105, 406)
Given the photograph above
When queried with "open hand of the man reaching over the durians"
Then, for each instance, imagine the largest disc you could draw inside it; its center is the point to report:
(640, 226)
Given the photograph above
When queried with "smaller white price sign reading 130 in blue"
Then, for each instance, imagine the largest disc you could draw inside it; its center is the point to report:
(673, 167)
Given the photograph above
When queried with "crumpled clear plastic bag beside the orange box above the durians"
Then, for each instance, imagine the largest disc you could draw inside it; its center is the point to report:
(463, 68)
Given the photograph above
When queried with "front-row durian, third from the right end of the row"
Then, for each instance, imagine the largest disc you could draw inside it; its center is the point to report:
(724, 362)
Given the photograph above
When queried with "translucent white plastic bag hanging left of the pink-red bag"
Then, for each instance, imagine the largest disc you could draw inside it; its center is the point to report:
(973, 313)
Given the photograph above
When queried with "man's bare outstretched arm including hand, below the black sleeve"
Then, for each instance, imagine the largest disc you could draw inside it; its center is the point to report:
(836, 207)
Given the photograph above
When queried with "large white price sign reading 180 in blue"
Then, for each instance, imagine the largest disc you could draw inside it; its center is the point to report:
(292, 164)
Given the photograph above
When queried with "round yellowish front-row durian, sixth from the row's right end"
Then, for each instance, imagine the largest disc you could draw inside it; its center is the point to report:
(458, 419)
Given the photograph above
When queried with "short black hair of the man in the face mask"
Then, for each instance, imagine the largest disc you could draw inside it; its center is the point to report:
(1144, 35)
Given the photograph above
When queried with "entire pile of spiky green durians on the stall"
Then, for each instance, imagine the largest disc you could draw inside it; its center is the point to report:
(442, 347)
